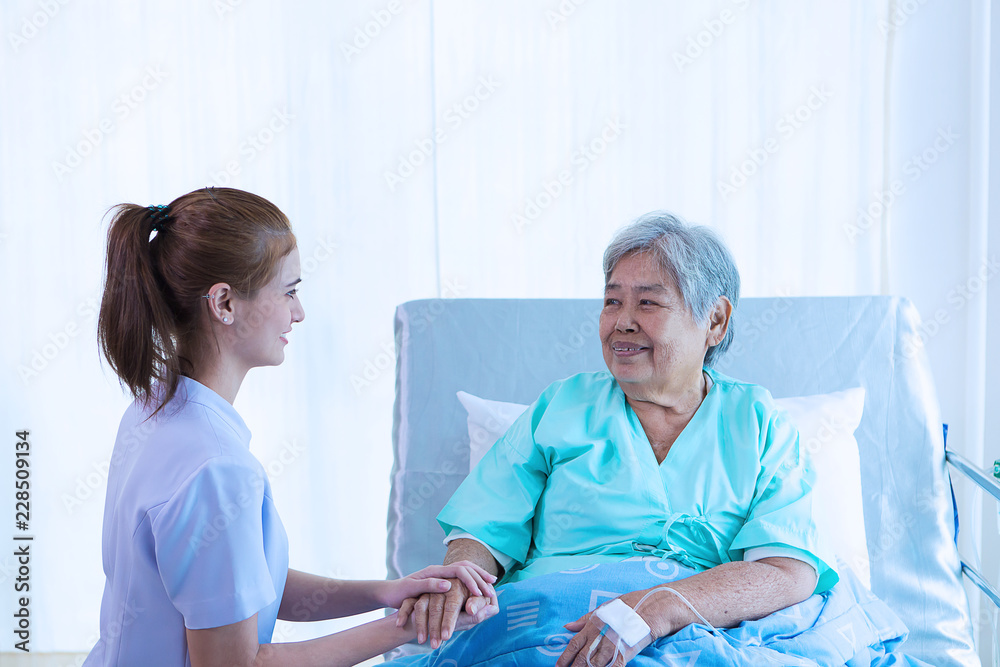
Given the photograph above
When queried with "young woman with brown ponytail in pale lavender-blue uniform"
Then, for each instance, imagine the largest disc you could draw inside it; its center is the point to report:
(196, 294)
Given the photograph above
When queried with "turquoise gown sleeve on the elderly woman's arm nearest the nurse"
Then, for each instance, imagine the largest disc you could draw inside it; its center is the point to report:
(496, 502)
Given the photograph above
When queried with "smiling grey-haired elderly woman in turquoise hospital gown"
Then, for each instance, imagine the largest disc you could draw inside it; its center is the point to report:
(660, 456)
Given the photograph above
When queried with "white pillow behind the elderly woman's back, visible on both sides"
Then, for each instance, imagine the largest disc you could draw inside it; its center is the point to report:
(826, 425)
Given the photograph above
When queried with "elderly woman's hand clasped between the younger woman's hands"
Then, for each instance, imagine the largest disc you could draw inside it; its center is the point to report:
(436, 616)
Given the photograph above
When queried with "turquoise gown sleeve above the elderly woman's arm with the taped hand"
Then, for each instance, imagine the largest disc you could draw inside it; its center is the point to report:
(781, 514)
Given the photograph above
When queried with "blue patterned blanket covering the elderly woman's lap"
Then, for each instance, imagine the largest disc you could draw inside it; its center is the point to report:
(844, 626)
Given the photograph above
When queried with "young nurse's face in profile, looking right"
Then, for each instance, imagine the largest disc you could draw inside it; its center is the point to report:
(263, 322)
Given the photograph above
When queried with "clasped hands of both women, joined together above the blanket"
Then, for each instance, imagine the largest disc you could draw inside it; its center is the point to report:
(442, 599)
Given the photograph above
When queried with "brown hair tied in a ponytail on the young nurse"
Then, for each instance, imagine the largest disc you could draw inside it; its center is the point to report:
(153, 288)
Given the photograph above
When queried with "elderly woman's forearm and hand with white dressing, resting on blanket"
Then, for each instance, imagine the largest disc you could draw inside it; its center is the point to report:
(726, 595)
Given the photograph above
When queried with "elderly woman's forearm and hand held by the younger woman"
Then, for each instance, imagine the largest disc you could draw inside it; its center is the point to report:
(435, 614)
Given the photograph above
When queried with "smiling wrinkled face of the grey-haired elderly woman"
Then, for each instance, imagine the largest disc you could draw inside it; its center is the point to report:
(652, 344)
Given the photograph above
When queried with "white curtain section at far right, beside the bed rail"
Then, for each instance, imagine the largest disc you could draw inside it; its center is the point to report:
(943, 247)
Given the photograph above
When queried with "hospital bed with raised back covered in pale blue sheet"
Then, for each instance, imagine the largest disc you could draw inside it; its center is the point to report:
(509, 350)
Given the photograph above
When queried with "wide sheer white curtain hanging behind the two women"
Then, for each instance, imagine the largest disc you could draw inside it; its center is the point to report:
(427, 148)
